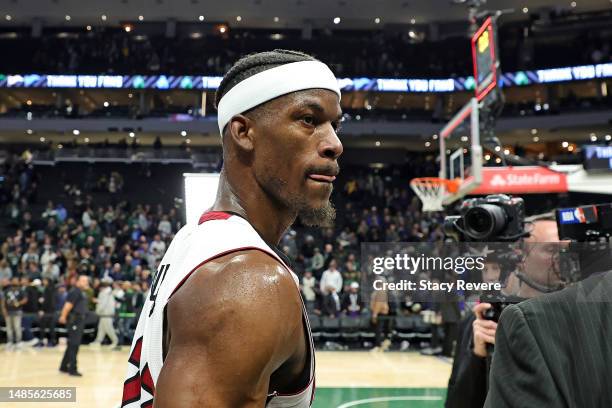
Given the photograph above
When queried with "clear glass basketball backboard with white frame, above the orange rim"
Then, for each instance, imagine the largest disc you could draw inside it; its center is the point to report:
(461, 151)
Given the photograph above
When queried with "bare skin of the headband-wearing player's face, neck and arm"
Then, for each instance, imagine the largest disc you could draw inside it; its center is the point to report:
(235, 328)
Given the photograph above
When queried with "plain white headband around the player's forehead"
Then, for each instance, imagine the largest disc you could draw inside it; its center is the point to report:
(272, 83)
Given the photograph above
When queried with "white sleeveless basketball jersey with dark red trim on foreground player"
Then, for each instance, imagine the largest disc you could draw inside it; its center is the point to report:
(217, 234)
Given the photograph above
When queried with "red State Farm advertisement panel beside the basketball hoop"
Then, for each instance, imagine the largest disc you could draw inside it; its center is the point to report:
(521, 180)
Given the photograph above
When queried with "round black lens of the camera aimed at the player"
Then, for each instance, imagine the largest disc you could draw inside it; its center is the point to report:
(485, 221)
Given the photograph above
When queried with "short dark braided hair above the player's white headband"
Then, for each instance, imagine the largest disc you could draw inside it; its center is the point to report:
(255, 63)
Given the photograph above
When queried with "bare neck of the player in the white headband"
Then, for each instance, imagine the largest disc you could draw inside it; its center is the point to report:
(248, 200)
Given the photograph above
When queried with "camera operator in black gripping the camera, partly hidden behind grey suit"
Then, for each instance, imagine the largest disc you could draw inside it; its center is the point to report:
(468, 382)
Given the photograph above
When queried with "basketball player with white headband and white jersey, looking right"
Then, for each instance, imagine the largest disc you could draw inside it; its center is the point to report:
(224, 324)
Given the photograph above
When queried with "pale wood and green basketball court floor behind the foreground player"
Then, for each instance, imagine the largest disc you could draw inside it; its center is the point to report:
(344, 379)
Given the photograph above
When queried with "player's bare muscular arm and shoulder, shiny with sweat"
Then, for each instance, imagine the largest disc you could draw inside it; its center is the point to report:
(232, 325)
